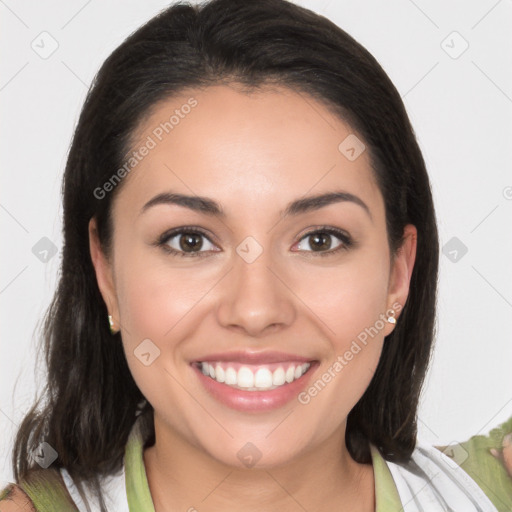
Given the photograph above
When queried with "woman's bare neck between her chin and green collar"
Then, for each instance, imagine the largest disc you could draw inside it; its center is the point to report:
(181, 476)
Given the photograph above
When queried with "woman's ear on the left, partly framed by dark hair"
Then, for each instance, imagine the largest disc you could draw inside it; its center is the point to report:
(104, 273)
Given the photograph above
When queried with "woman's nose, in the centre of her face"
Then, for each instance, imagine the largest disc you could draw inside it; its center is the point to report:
(255, 298)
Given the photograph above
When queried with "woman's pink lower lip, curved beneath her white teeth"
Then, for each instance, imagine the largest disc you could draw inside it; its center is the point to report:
(254, 401)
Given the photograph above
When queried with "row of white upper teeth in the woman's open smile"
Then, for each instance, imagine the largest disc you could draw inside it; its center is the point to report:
(252, 378)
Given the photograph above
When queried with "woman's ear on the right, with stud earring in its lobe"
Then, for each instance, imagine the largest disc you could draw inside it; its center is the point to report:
(401, 271)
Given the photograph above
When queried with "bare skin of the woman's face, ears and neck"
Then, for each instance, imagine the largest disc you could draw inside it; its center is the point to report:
(253, 154)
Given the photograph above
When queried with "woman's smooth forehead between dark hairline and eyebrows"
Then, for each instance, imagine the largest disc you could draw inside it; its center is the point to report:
(247, 150)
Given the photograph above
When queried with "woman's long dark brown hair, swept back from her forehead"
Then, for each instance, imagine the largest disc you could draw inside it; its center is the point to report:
(89, 404)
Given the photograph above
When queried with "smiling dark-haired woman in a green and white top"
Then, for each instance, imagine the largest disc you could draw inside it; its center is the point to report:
(246, 203)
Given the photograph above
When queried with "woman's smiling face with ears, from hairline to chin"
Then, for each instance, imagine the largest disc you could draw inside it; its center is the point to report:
(258, 281)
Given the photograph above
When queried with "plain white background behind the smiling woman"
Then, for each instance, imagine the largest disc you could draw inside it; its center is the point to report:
(460, 108)
